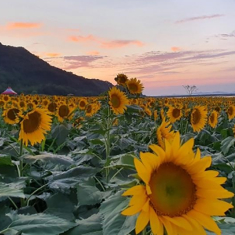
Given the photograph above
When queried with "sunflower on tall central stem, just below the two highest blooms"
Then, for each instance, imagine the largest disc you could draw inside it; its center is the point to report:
(117, 100)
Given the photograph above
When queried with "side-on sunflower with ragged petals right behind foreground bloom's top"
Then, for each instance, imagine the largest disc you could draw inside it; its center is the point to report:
(164, 132)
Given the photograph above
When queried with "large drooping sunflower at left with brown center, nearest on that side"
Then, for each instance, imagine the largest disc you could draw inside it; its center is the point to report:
(34, 126)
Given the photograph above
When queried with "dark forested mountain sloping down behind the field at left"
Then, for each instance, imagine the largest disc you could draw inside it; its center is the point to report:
(28, 74)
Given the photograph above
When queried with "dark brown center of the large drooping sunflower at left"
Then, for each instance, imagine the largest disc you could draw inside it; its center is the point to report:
(32, 123)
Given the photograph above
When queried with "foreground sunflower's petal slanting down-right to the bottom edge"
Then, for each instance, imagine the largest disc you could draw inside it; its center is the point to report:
(205, 220)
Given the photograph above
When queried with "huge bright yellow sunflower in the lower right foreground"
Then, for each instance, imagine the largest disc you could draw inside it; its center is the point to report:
(178, 193)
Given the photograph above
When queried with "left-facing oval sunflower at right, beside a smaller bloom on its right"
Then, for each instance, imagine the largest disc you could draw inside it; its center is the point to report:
(198, 118)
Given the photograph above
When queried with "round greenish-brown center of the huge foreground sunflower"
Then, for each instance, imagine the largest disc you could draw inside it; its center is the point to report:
(173, 191)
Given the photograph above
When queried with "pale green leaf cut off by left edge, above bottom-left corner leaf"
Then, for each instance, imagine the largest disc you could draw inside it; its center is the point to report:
(12, 189)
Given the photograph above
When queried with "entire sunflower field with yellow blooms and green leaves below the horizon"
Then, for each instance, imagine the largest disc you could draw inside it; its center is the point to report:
(117, 164)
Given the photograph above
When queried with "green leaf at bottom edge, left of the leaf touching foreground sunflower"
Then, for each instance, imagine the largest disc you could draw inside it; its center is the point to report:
(89, 226)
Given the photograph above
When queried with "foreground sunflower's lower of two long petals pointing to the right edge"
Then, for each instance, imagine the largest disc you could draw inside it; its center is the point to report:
(212, 207)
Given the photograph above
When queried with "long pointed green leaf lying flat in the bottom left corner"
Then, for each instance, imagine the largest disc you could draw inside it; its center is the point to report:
(38, 224)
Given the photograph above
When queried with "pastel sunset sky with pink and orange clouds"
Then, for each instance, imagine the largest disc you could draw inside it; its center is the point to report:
(165, 44)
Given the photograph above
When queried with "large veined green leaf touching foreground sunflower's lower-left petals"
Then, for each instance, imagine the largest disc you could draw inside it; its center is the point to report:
(114, 223)
